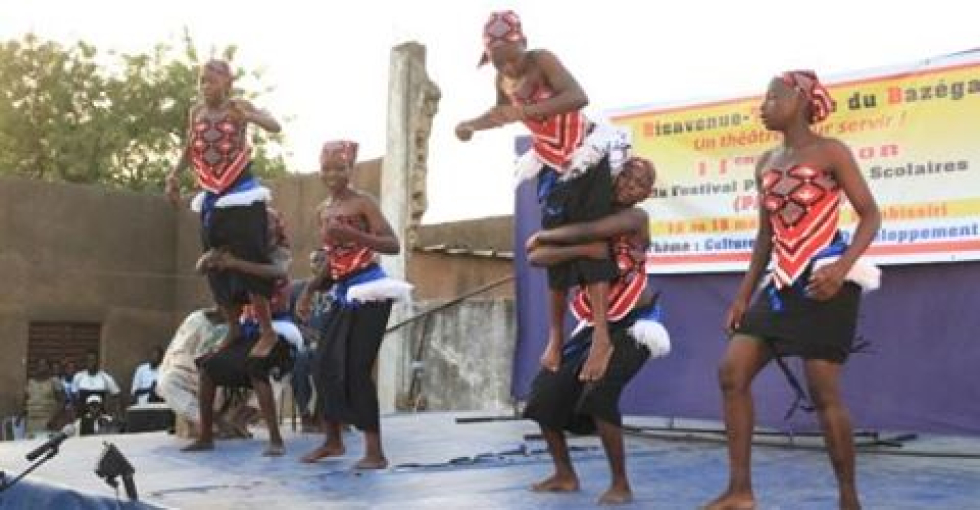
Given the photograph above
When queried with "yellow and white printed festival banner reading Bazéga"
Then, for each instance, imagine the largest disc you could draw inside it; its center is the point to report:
(913, 130)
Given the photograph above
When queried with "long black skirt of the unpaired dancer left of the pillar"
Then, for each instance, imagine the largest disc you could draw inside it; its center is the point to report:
(342, 369)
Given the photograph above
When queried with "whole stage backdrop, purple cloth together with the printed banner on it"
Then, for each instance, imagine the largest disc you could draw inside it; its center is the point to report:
(913, 130)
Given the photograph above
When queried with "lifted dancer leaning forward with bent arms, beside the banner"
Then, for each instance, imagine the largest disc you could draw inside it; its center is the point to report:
(570, 159)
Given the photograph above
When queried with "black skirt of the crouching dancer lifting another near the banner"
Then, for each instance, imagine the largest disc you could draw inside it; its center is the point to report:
(560, 401)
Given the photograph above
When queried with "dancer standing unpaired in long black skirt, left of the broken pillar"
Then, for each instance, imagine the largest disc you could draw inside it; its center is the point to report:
(354, 231)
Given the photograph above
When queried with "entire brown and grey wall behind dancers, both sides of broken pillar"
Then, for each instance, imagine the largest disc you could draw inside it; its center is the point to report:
(125, 260)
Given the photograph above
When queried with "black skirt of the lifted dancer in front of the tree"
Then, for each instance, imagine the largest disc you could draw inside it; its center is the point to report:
(243, 231)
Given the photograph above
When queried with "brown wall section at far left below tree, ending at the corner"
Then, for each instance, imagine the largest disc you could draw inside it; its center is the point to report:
(82, 253)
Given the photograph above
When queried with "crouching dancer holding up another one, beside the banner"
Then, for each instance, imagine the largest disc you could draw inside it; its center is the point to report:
(561, 400)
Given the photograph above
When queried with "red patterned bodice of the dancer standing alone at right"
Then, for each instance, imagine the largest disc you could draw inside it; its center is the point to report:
(804, 206)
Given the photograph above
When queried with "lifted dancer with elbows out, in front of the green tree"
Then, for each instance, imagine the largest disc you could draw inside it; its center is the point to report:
(232, 204)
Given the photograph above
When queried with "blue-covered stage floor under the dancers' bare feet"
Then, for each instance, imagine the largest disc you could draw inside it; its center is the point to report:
(438, 463)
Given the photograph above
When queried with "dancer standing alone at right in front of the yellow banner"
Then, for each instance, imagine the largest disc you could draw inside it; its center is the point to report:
(809, 304)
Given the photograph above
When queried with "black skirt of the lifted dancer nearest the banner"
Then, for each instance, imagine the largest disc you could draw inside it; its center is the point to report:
(587, 197)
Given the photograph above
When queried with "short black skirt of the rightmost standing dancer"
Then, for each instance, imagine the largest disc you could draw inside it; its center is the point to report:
(793, 324)
